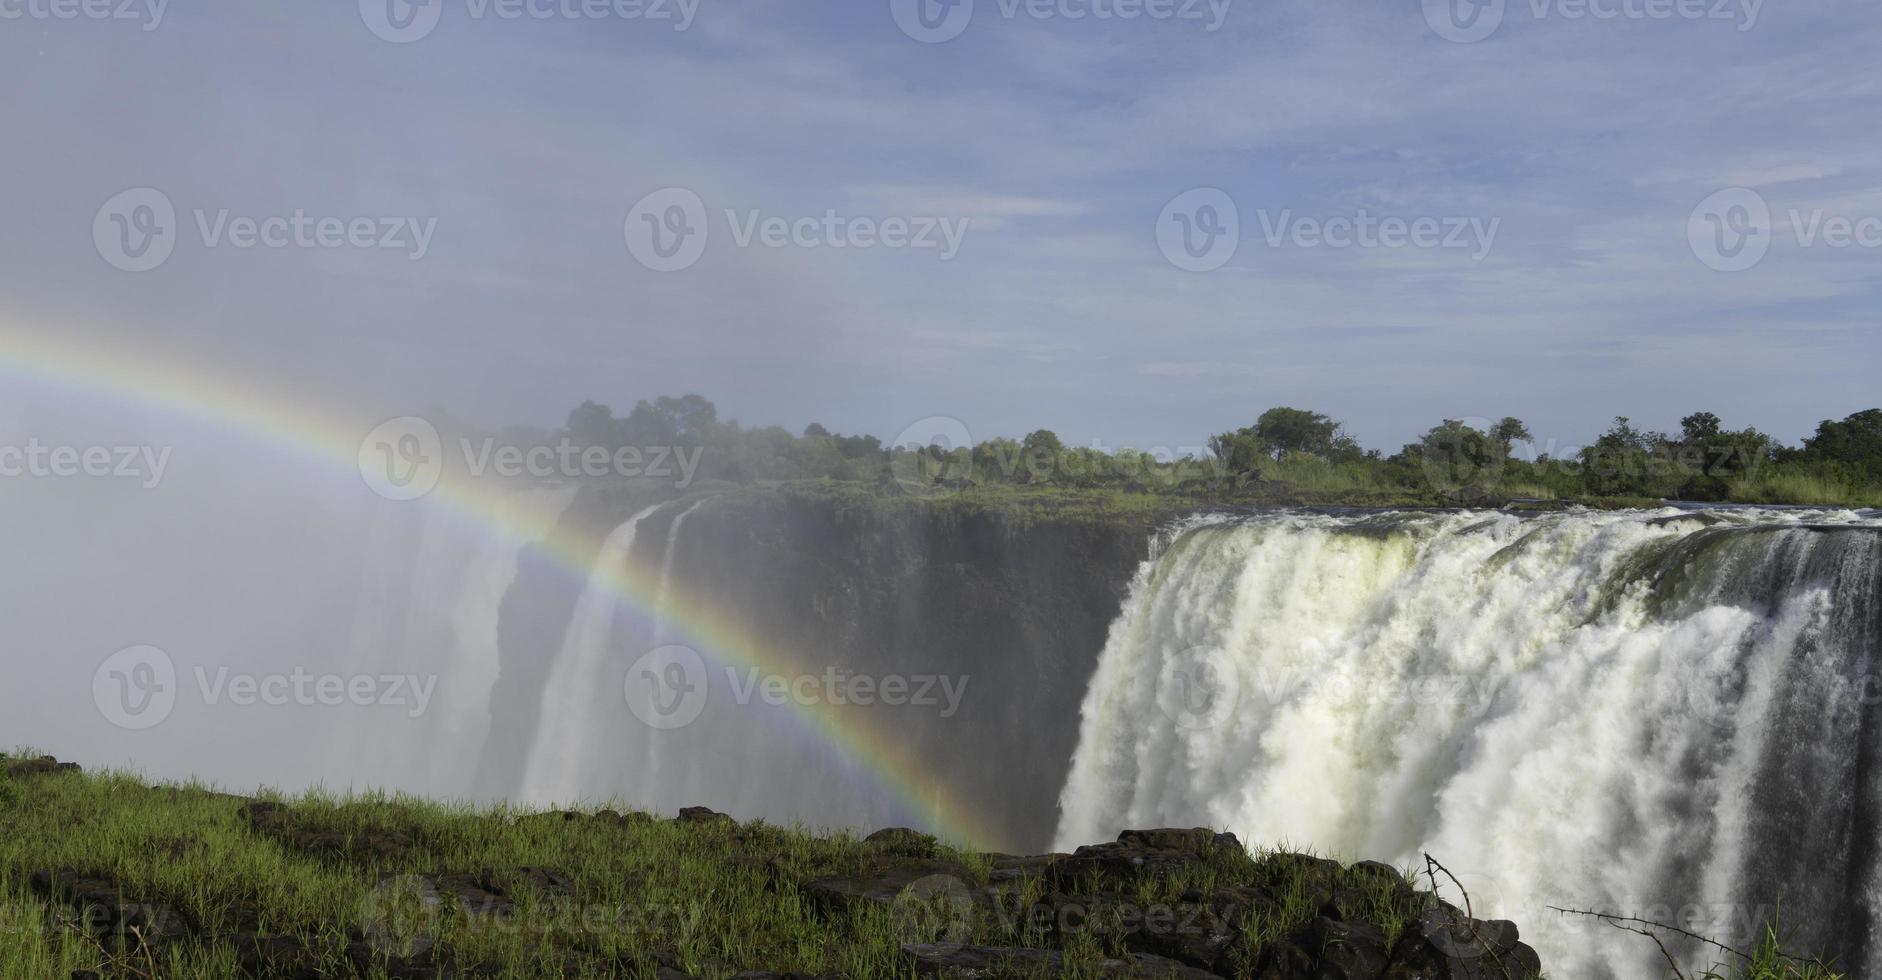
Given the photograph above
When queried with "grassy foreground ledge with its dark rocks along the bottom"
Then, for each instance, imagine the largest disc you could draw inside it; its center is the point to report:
(104, 876)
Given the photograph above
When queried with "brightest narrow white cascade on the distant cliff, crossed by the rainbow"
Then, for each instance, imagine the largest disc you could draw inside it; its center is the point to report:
(579, 689)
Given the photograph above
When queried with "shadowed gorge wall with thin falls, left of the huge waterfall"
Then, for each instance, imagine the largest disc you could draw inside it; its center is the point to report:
(1004, 612)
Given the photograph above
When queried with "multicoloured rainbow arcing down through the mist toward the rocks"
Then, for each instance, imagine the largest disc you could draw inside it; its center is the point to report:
(249, 407)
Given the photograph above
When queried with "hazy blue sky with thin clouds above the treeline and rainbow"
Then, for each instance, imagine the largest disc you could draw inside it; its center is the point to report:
(1055, 144)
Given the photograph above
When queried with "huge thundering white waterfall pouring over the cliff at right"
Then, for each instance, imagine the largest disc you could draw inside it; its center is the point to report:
(1667, 716)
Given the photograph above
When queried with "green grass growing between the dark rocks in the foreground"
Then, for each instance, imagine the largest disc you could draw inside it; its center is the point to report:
(707, 898)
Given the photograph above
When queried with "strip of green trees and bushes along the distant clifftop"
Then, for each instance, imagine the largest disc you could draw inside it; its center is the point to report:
(1288, 456)
